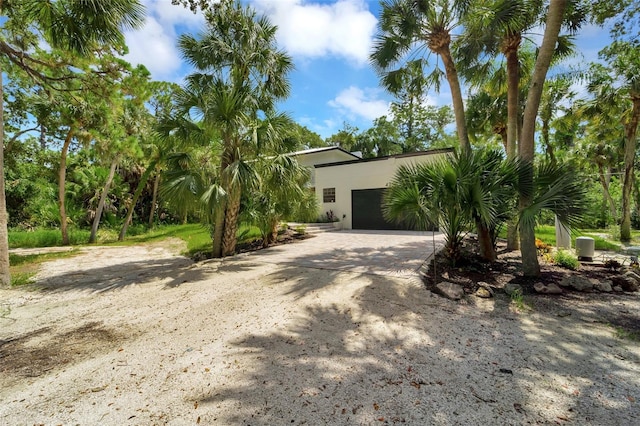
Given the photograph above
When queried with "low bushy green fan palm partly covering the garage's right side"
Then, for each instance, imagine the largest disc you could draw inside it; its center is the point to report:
(470, 188)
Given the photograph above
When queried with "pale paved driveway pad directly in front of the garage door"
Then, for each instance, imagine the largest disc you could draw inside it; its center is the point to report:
(393, 253)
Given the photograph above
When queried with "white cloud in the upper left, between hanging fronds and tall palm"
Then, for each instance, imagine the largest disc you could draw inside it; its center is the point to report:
(154, 45)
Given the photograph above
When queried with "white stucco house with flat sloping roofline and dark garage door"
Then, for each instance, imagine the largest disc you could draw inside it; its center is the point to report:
(352, 187)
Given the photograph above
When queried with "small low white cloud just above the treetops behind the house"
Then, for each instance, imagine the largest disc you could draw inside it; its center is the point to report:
(356, 102)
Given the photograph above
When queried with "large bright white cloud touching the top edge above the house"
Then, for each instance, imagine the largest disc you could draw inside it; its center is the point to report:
(309, 30)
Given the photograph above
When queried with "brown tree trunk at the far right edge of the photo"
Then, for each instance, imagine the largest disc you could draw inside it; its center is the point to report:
(629, 157)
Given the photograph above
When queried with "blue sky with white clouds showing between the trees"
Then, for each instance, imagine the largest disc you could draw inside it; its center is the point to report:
(329, 41)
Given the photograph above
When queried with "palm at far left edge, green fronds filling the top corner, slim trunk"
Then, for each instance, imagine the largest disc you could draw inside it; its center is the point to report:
(73, 26)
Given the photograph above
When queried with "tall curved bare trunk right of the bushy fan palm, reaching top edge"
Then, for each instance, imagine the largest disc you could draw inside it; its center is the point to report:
(526, 147)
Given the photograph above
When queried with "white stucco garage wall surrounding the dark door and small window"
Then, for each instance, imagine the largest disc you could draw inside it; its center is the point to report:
(362, 175)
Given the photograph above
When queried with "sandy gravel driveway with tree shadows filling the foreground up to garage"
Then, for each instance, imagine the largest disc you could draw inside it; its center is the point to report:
(141, 336)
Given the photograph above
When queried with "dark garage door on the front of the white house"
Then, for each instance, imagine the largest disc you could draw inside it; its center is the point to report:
(366, 208)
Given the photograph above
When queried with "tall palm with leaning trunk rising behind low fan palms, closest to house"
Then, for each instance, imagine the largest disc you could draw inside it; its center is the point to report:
(406, 27)
